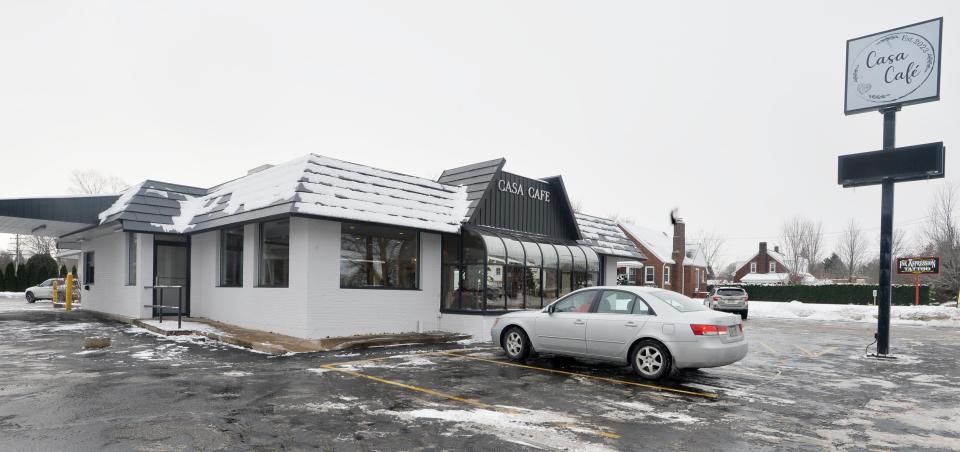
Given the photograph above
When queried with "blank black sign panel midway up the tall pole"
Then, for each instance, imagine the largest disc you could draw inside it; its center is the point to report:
(924, 161)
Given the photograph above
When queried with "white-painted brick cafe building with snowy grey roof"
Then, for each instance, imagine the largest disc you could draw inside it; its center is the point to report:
(318, 247)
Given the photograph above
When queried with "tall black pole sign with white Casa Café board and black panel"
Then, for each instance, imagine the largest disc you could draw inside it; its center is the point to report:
(886, 71)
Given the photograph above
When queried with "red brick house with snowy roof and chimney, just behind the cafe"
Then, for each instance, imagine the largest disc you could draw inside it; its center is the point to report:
(671, 262)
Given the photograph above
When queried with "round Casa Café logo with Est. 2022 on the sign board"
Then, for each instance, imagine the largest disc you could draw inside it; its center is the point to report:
(893, 66)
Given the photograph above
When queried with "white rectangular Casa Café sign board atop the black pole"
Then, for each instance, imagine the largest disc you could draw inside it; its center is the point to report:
(894, 67)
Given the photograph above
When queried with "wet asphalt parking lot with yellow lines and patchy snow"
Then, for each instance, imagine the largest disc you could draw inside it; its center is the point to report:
(803, 386)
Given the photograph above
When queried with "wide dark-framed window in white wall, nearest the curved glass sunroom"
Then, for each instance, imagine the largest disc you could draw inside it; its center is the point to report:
(379, 257)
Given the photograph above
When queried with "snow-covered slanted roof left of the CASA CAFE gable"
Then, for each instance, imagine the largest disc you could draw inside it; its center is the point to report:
(312, 185)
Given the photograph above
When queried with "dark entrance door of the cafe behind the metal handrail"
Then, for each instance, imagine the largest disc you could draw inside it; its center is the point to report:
(171, 267)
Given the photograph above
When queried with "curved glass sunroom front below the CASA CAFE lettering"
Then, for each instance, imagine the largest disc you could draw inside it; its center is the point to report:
(499, 271)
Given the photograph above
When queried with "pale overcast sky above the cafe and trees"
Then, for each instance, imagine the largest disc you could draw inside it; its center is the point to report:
(730, 111)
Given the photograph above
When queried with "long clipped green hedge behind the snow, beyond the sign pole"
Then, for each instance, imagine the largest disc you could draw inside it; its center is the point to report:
(835, 293)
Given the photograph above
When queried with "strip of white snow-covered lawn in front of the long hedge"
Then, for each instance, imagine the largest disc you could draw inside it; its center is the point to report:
(902, 315)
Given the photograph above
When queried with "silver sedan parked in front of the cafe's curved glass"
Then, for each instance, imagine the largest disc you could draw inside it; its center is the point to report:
(656, 331)
